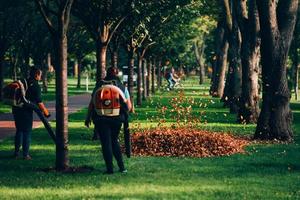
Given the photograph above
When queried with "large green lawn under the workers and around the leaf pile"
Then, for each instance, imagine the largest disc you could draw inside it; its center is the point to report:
(270, 171)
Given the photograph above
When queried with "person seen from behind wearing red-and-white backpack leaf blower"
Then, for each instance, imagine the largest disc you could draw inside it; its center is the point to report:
(108, 109)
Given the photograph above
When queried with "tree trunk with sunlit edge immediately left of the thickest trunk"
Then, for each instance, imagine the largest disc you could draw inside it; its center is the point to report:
(249, 108)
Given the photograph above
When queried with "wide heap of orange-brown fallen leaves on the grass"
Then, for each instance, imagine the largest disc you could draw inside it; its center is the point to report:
(186, 143)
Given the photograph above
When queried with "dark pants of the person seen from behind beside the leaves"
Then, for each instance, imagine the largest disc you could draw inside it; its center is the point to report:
(109, 130)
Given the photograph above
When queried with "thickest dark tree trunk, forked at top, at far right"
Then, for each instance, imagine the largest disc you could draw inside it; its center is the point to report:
(276, 32)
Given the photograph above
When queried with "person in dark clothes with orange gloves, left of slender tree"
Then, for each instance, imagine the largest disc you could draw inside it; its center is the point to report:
(23, 116)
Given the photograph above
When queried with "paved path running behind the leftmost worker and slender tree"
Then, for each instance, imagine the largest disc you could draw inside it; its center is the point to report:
(75, 103)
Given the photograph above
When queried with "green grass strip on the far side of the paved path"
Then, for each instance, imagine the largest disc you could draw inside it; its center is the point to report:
(50, 95)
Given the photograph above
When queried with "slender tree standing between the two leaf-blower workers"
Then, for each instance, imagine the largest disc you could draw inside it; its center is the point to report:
(57, 21)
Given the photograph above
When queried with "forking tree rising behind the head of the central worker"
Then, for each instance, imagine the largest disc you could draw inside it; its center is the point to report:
(102, 19)
